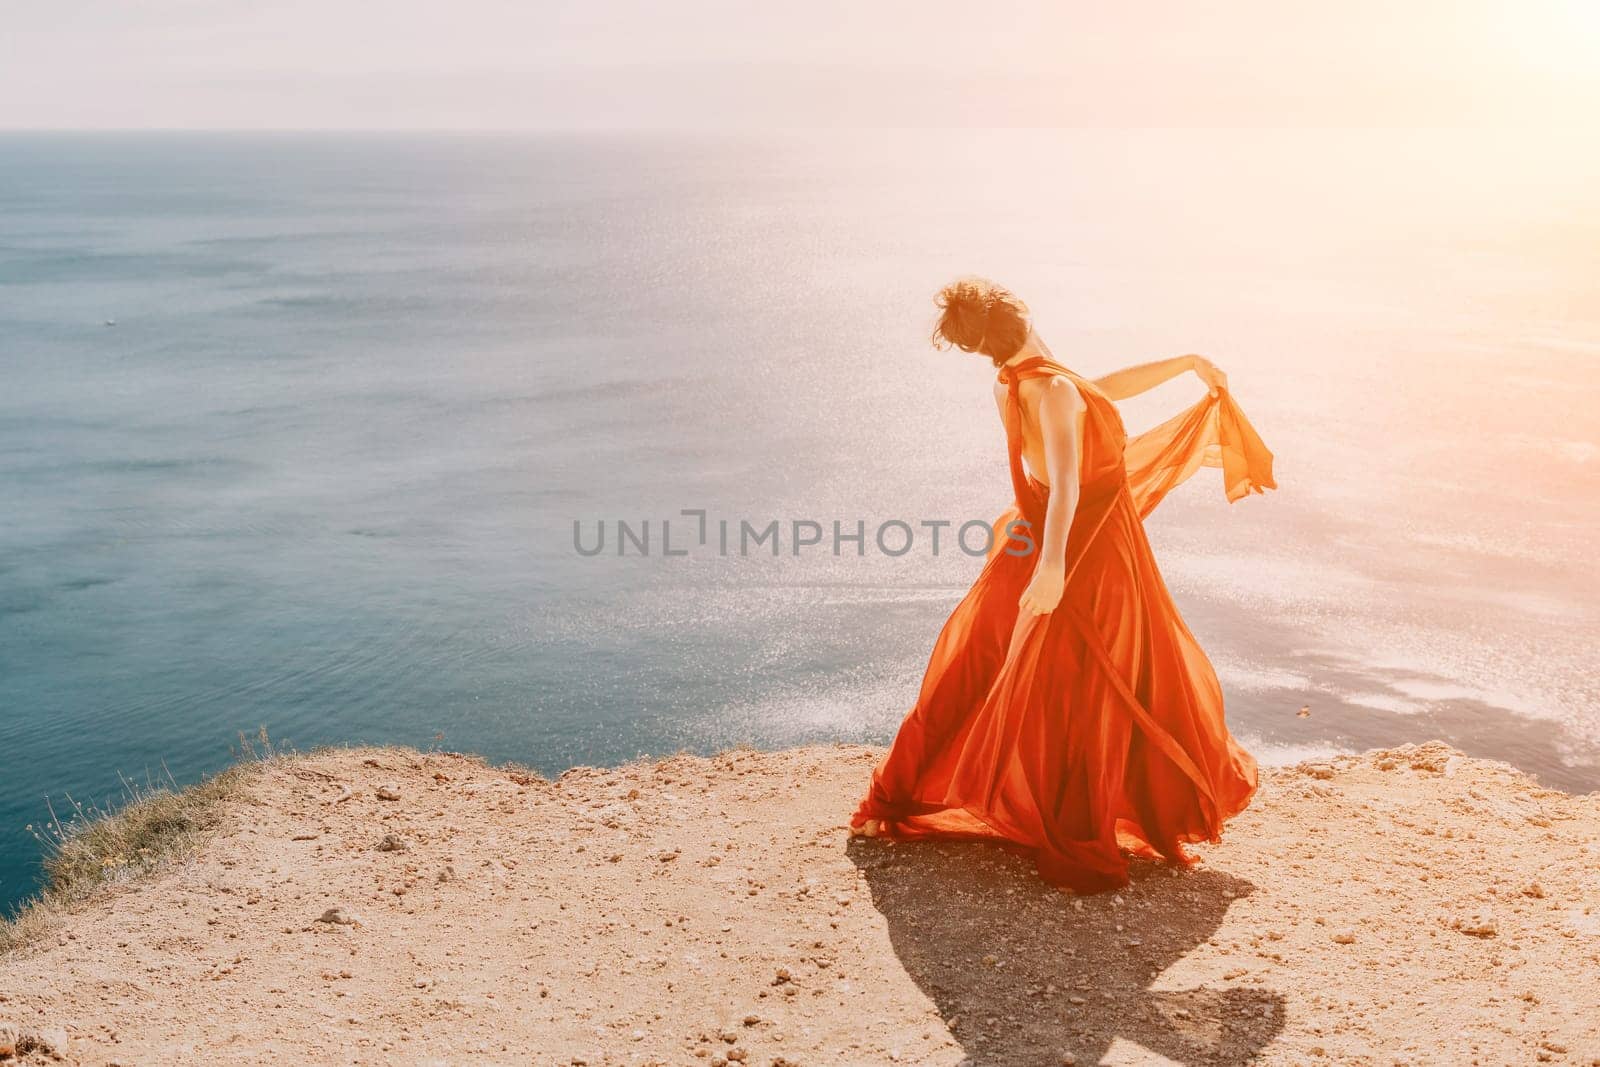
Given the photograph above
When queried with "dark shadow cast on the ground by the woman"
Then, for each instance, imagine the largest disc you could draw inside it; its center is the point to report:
(1022, 975)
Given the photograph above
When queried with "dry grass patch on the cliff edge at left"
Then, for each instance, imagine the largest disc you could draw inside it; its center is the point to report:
(151, 826)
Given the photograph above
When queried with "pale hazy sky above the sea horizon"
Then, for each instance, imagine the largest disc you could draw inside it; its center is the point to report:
(860, 63)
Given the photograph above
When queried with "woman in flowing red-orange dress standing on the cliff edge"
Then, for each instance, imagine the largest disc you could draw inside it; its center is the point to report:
(1068, 709)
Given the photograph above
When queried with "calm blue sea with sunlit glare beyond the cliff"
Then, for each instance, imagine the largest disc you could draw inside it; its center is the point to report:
(295, 433)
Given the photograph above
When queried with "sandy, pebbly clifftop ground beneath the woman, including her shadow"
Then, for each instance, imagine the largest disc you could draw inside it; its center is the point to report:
(396, 908)
